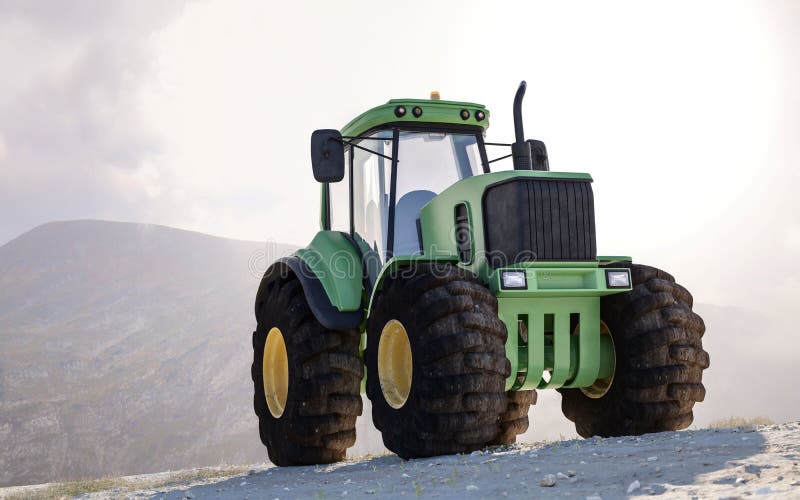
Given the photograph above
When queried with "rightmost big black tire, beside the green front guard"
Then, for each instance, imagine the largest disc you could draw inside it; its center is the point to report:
(660, 361)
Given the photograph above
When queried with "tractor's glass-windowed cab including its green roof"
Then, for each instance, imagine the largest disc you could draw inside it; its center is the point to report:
(397, 158)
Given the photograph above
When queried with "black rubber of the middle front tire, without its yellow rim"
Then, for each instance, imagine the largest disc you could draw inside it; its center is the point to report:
(459, 364)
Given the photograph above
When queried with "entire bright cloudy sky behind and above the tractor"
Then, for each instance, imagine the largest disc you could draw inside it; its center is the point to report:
(198, 115)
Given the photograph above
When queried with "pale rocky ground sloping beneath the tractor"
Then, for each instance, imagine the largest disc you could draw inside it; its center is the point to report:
(728, 463)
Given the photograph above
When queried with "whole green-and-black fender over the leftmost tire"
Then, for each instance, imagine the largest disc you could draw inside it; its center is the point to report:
(329, 270)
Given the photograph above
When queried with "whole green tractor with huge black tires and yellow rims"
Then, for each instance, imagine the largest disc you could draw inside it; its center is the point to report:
(450, 294)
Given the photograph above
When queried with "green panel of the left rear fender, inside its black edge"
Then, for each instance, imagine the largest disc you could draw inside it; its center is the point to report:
(337, 265)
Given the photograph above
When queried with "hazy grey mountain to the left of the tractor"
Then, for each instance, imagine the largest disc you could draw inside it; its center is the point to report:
(125, 348)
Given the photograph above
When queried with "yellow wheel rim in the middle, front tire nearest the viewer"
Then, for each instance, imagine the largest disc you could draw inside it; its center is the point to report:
(394, 364)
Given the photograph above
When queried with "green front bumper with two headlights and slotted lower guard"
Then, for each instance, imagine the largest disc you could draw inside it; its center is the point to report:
(553, 325)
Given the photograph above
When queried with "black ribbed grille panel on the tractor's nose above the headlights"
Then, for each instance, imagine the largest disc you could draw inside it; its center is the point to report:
(539, 219)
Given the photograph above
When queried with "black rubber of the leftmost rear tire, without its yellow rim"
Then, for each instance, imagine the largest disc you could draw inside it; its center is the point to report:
(325, 370)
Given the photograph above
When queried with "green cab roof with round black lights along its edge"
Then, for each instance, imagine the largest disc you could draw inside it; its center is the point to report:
(433, 112)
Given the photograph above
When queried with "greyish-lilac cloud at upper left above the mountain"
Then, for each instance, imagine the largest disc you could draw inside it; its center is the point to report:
(73, 138)
